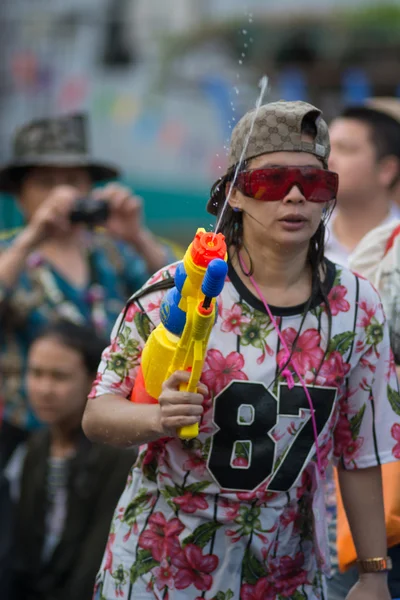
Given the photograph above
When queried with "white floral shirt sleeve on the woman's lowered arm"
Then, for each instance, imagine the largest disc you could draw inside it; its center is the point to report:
(368, 430)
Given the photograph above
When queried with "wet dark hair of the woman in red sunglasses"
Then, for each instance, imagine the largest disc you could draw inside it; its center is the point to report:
(232, 227)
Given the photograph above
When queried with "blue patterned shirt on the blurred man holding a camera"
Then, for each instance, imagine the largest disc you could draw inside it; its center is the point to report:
(117, 271)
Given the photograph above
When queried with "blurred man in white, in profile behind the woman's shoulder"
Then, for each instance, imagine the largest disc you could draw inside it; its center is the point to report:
(366, 154)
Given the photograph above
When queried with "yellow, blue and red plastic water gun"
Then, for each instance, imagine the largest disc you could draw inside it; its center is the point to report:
(188, 313)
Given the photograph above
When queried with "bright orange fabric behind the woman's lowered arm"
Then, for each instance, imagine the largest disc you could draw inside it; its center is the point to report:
(391, 493)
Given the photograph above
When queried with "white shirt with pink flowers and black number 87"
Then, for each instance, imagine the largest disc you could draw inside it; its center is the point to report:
(239, 512)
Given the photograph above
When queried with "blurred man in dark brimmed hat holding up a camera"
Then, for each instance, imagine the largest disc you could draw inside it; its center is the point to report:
(62, 265)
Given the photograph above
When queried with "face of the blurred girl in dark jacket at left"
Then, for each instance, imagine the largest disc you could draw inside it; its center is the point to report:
(57, 381)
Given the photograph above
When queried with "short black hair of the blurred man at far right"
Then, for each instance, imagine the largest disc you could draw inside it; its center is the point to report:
(384, 132)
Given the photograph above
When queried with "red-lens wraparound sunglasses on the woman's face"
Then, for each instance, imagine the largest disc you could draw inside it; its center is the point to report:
(273, 183)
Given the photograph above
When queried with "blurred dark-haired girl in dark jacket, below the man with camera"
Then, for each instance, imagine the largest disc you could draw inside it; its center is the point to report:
(65, 488)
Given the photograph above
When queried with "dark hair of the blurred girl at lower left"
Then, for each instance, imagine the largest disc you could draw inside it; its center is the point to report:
(81, 338)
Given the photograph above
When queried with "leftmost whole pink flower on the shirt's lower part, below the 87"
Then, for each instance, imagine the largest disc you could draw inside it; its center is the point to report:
(161, 537)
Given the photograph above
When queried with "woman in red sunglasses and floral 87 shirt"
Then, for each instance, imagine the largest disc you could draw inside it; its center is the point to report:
(297, 374)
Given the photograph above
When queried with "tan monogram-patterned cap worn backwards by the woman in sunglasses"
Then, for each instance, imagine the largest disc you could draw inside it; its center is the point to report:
(277, 128)
